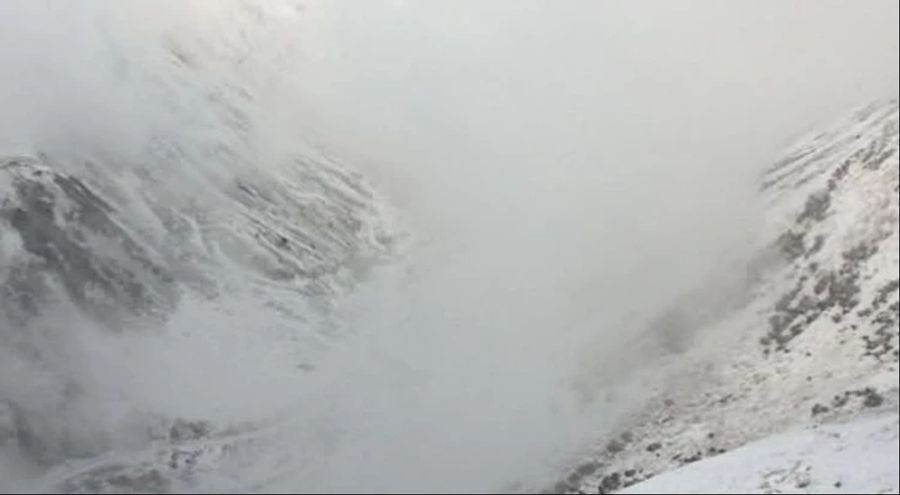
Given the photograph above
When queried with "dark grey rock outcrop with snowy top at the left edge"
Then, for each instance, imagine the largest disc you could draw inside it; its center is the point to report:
(62, 223)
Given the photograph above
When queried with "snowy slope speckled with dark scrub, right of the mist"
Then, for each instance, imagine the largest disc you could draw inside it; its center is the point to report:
(813, 340)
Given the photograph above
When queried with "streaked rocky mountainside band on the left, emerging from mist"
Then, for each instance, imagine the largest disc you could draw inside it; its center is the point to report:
(111, 250)
